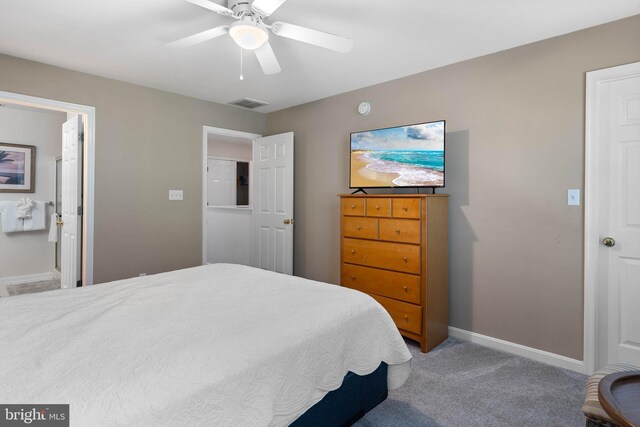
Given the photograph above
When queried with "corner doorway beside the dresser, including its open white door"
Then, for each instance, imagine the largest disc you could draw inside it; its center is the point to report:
(259, 234)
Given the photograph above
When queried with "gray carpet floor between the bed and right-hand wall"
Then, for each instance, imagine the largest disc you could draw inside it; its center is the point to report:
(464, 384)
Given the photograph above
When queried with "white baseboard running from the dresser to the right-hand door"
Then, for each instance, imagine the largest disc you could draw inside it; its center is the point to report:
(519, 350)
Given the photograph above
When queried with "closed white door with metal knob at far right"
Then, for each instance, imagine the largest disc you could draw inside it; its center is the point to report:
(618, 140)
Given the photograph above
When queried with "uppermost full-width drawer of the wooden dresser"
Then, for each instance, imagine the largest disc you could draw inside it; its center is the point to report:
(386, 255)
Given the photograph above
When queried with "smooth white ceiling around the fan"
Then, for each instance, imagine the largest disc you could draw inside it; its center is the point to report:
(125, 40)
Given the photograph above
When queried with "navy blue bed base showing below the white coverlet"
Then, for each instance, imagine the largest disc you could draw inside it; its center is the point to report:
(342, 407)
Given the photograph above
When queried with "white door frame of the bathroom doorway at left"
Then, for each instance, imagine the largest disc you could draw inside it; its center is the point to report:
(88, 167)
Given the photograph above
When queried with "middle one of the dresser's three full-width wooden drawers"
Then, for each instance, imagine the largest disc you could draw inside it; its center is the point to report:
(401, 286)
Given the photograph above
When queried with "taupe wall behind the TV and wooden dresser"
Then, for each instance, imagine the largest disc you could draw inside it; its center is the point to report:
(515, 144)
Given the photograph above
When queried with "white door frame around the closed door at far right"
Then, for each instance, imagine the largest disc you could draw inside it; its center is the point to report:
(594, 80)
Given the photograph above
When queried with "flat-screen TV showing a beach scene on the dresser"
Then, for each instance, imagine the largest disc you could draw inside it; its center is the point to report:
(402, 156)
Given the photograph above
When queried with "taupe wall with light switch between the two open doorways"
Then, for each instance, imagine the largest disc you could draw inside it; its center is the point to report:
(147, 142)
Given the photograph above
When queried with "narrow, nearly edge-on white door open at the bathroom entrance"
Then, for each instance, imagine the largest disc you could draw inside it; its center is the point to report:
(71, 233)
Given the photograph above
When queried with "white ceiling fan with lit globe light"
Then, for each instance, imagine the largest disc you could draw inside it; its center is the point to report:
(250, 32)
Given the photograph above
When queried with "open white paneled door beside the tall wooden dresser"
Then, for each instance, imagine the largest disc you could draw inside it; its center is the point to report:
(273, 202)
